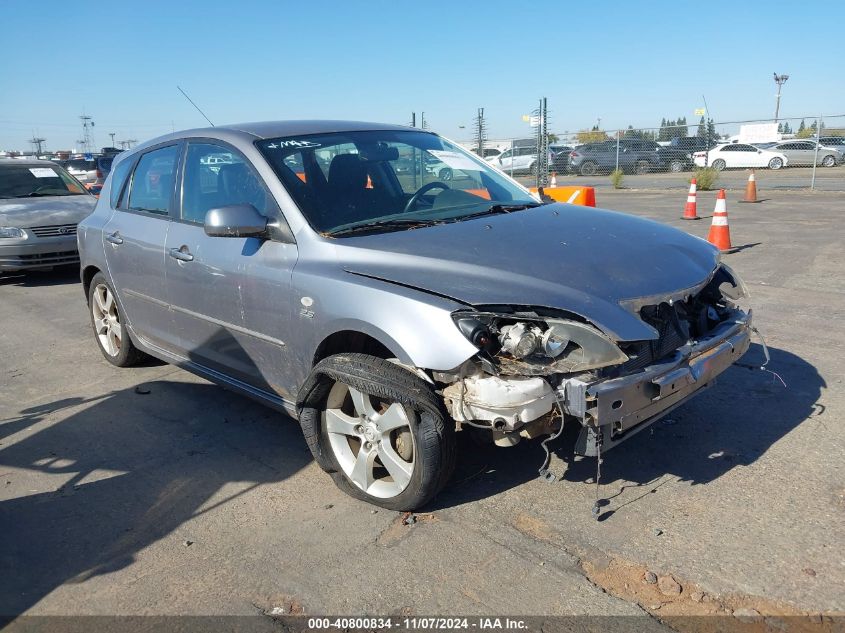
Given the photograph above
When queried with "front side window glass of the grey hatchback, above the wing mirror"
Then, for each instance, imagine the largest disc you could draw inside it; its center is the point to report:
(215, 176)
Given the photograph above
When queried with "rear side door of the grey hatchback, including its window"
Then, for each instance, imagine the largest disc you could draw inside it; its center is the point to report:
(134, 241)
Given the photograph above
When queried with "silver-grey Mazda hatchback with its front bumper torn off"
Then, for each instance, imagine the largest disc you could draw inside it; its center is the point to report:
(320, 267)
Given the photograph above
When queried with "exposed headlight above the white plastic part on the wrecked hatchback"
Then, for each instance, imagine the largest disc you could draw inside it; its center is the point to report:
(562, 344)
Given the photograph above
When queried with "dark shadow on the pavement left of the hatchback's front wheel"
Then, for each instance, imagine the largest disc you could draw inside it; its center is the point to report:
(123, 471)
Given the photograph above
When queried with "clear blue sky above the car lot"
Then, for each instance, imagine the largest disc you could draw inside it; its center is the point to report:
(626, 62)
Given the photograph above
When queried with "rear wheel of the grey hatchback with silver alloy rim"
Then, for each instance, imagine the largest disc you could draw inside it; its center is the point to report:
(109, 325)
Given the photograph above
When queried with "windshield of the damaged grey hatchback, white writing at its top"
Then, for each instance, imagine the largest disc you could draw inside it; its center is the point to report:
(348, 179)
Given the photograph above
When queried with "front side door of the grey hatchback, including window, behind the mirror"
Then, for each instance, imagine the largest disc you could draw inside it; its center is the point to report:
(230, 296)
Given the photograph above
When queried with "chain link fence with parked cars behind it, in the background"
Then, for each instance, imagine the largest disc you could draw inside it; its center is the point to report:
(791, 153)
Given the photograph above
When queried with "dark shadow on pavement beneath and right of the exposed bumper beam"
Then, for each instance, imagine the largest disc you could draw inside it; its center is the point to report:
(733, 424)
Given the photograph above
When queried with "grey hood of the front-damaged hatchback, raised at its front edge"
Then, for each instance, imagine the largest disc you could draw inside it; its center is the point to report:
(580, 259)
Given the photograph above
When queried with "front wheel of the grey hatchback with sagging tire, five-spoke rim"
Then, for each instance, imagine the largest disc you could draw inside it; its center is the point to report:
(378, 429)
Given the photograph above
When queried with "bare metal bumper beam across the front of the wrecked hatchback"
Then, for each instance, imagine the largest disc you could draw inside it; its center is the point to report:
(616, 409)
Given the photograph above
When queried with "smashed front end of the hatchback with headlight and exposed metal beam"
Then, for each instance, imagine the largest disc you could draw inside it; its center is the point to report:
(538, 368)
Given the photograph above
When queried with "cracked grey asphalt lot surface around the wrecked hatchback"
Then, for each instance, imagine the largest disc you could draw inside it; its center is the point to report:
(179, 497)
